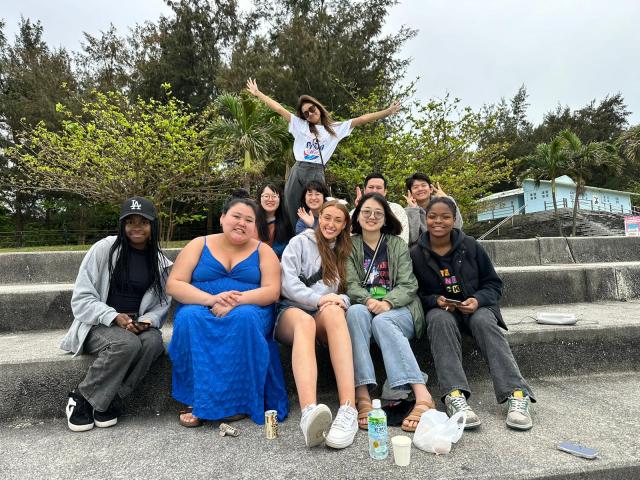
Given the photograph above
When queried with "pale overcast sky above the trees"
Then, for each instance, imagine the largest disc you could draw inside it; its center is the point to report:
(563, 51)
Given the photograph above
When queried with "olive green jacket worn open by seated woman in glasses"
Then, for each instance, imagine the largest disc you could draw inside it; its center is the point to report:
(404, 282)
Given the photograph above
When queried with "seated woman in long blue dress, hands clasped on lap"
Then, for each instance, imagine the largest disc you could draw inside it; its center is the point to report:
(225, 362)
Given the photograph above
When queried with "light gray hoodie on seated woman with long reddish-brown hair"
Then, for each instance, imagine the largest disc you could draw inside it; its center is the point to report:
(301, 257)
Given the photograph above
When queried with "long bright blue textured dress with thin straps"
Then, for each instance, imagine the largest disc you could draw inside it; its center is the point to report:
(228, 365)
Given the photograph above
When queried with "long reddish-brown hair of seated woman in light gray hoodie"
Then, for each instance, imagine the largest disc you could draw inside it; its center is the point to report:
(334, 260)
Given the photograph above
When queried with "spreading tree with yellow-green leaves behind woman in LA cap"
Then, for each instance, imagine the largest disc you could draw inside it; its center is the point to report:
(116, 148)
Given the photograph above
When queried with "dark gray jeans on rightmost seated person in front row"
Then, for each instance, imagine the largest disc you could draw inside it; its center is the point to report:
(445, 335)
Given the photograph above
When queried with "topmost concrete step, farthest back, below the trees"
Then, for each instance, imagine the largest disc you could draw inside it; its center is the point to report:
(62, 267)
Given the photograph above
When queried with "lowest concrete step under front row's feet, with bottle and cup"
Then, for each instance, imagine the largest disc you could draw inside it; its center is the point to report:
(584, 410)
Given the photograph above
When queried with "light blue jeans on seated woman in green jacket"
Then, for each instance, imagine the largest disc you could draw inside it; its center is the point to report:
(392, 331)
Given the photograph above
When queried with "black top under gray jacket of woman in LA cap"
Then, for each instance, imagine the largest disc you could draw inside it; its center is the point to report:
(125, 294)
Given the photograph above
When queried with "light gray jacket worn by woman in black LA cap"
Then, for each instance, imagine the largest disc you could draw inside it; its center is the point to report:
(91, 291)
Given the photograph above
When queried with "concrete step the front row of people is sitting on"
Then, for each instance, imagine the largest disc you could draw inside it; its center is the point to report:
(35, 376)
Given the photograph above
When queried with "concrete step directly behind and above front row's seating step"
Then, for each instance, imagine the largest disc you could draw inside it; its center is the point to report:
(26, 307)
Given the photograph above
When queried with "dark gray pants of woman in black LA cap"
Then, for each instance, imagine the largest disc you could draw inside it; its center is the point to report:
(123, 360)
